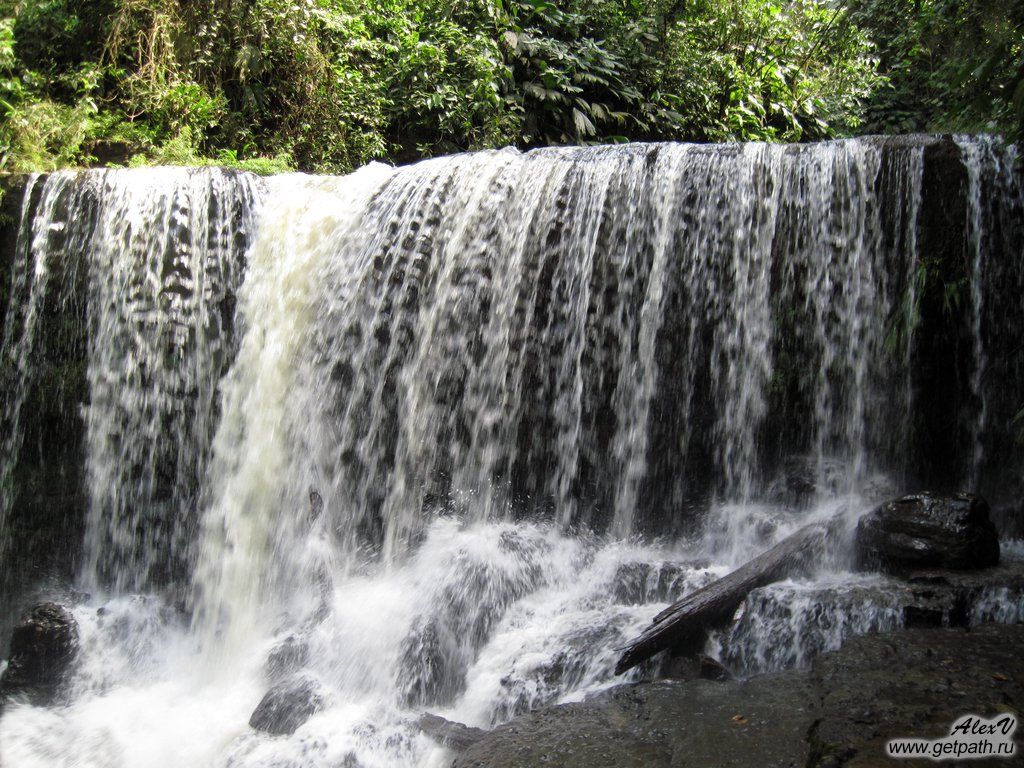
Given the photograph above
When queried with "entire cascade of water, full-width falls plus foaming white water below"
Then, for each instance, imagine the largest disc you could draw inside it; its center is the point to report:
(485, 416)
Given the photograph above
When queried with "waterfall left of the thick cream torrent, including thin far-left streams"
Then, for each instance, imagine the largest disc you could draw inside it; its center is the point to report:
(157, 259)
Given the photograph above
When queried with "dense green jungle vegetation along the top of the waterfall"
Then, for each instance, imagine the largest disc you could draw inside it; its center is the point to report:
(328, 86)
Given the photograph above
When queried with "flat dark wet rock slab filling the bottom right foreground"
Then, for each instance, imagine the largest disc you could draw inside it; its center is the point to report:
(839, 713)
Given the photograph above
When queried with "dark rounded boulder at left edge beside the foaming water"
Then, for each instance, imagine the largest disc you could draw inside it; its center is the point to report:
(44, 647)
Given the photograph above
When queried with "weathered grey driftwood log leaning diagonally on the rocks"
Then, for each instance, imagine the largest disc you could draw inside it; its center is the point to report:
(715, 605)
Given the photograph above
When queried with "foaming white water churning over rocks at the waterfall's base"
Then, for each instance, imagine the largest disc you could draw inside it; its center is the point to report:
(523, 615)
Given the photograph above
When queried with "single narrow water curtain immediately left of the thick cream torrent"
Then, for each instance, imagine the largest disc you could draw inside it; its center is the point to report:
(164, 264)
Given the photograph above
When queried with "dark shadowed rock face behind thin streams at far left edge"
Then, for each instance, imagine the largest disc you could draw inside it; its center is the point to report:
(47, 519)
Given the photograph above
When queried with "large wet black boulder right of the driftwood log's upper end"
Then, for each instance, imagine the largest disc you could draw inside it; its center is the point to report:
(928, 531)
